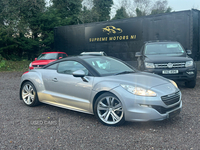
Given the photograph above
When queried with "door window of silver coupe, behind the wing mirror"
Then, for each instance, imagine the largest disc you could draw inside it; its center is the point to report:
(68, 67)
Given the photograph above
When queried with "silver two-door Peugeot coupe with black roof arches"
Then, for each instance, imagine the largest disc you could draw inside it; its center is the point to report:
(109, 88)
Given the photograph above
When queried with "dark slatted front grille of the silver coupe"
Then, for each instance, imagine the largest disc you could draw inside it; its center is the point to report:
(171, 98)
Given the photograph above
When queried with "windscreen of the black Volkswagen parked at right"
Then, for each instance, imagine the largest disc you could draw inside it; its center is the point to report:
(164, 49)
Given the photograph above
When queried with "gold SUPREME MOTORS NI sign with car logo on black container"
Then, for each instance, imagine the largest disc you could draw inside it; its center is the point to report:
(112, 33)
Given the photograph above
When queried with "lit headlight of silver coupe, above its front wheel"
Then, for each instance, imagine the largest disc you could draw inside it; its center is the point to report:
(138, 90)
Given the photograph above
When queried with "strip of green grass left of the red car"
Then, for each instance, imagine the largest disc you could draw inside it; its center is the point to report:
(8, 65)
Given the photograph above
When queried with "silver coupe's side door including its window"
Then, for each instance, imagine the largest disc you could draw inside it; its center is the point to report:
(73, 92)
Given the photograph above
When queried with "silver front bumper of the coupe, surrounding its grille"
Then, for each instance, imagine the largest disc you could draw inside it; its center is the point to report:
(140, 108)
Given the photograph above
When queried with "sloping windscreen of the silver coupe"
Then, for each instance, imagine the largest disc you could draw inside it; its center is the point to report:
(108, 66)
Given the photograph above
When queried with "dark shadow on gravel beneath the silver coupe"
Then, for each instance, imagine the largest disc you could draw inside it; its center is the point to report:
(88, 119)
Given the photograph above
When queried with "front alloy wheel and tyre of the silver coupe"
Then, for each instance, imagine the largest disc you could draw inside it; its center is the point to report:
(109, 110)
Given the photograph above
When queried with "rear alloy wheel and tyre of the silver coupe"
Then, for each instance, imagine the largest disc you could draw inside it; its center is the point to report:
(29, 94)
